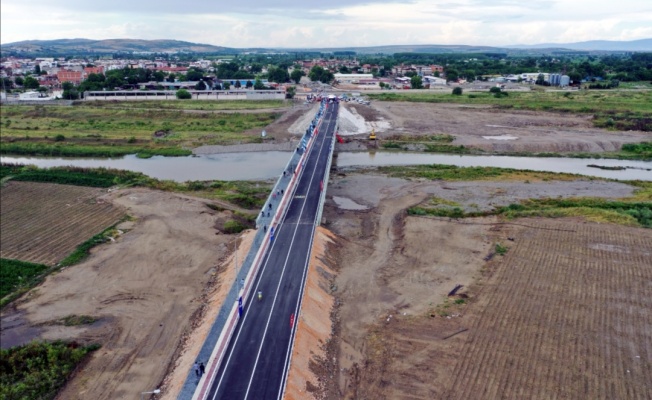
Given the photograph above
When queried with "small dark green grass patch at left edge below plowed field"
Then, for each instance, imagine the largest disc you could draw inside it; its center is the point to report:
(18, 276)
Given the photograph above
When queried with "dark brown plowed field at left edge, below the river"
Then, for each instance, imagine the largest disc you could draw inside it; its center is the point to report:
(43, 222)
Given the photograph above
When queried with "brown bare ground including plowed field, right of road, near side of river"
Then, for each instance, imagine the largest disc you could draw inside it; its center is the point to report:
(525, 324)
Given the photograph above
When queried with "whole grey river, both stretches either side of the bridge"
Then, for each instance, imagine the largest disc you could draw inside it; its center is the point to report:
(269, 164)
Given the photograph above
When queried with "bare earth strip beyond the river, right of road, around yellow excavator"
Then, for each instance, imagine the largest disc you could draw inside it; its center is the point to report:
(530, 131)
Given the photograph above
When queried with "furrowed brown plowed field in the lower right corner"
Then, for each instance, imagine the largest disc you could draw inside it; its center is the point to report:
(568, 315)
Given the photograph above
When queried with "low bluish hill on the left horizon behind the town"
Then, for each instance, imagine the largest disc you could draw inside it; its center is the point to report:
(108, 46)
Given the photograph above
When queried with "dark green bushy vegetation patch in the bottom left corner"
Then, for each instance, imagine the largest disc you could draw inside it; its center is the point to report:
(38, 370)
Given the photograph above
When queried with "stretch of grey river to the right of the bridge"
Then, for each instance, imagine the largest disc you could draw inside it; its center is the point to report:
(641, 169)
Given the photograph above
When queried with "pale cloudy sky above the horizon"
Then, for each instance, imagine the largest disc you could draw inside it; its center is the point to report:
(330, 23)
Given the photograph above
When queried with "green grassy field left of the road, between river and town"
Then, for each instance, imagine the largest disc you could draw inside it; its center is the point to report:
(115, 129)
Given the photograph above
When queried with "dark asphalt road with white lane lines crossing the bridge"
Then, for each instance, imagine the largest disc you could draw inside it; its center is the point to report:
(257, 358)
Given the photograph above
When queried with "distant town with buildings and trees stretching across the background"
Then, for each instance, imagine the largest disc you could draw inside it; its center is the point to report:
(48, 78)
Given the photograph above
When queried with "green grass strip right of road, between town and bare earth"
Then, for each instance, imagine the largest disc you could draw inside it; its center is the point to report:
(617, 110)
